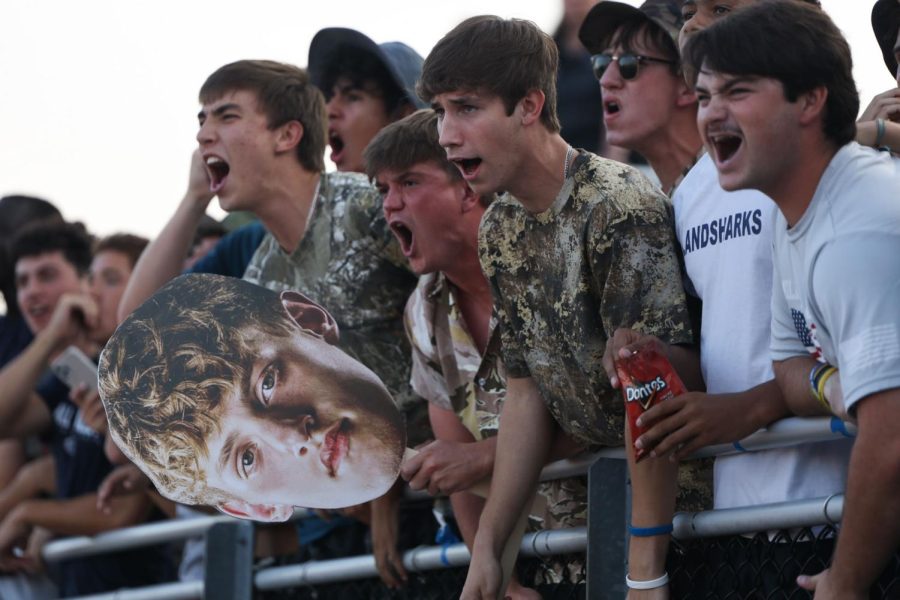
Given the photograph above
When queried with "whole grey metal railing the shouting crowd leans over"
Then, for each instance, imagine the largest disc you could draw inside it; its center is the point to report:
(606, 573)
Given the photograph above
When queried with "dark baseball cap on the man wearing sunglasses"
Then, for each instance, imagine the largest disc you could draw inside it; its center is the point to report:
(606, 17)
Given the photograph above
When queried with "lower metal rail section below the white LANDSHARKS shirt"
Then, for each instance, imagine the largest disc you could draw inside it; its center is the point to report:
(762, 517)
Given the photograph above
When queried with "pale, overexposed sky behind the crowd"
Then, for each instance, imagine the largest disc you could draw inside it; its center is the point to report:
(98, 109)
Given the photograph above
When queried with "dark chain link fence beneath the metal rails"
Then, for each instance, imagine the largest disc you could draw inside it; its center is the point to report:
(762, 567)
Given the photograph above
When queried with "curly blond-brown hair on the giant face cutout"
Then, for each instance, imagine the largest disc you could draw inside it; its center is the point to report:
(163, 380)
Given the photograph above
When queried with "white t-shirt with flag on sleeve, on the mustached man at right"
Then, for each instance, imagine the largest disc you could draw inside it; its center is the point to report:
(838, 270)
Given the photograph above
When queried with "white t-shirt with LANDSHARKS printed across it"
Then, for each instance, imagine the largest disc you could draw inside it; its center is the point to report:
(727, 242)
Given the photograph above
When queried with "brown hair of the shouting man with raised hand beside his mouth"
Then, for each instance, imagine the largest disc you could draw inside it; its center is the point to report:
(285, 94)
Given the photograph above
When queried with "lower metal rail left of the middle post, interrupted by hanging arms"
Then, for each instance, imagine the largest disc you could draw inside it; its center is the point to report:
(542, 543)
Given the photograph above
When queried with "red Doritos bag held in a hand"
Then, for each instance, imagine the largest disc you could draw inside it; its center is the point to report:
(647, 378)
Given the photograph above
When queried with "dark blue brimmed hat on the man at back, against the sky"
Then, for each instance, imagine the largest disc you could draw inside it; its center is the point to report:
(402, 62)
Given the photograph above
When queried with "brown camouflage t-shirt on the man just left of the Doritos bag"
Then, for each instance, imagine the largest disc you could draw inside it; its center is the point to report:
(601, 257)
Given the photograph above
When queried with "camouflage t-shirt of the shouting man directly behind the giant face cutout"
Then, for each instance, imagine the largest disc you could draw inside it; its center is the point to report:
(350, 263)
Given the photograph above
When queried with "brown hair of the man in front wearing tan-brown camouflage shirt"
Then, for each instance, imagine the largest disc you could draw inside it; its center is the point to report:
(506, 57)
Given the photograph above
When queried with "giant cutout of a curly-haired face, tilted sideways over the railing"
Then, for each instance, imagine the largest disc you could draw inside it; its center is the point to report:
(231, 395)
